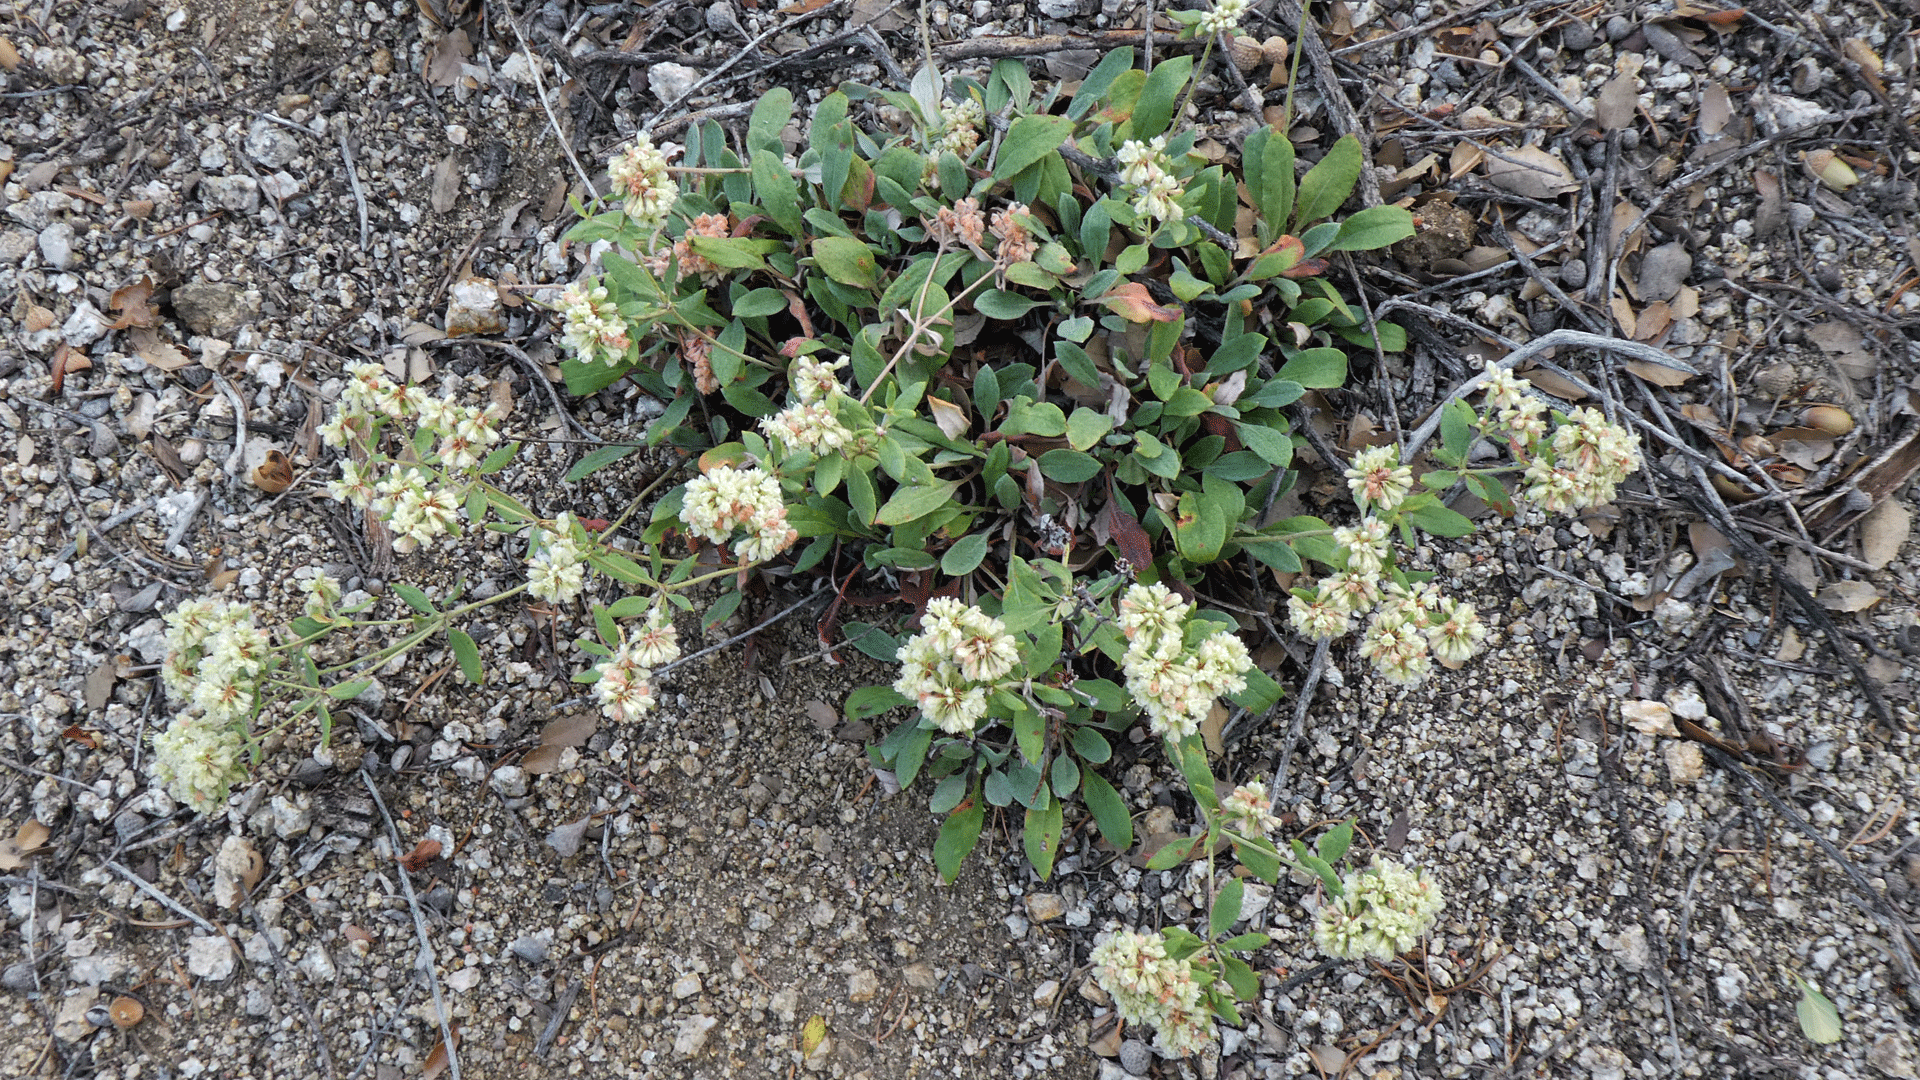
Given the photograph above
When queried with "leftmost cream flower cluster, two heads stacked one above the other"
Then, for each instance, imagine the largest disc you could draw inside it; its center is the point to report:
(216, 656)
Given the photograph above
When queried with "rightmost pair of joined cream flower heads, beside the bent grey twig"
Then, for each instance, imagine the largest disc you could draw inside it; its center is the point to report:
(1585, 460)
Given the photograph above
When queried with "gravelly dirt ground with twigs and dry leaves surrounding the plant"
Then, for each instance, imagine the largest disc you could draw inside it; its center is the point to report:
(306, 184)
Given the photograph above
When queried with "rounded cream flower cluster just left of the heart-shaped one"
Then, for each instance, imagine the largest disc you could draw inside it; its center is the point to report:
(953, 662)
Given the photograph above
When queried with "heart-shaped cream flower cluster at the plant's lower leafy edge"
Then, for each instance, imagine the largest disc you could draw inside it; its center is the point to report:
(1176, 687)
